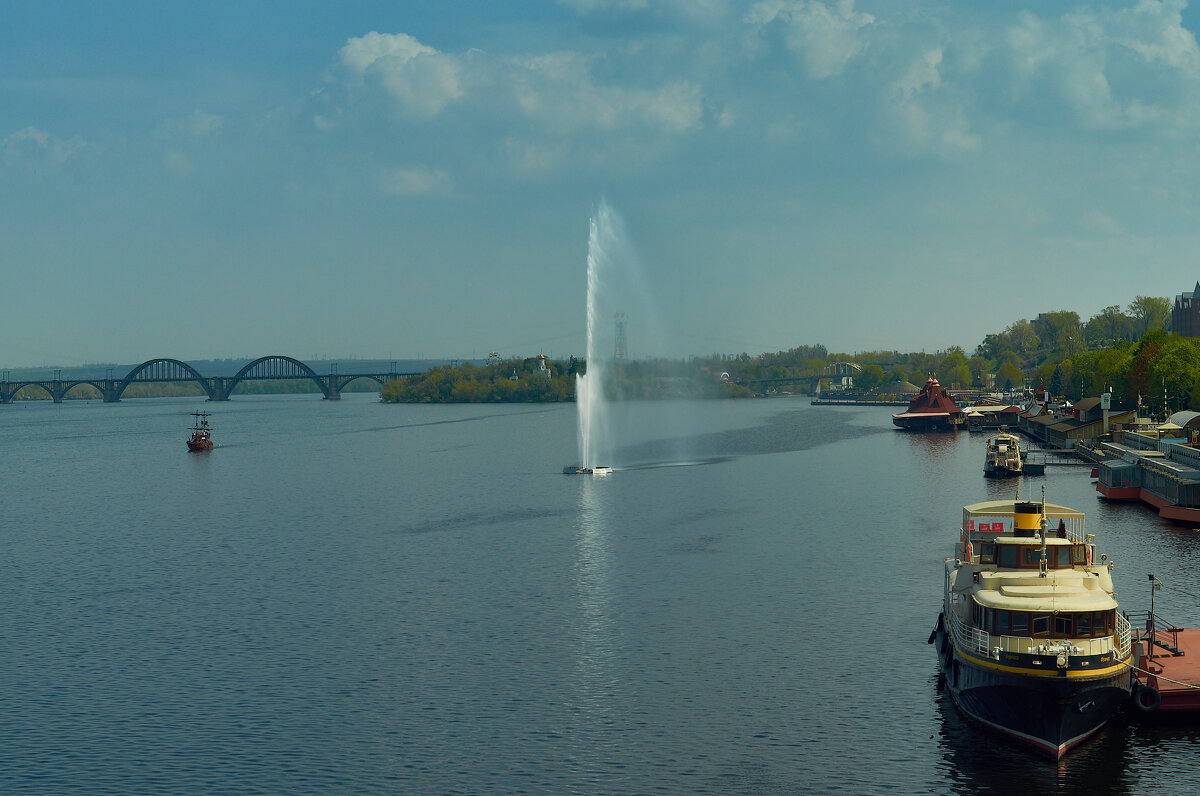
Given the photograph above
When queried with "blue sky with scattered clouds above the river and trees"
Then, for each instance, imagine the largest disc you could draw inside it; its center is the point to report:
(362, 179)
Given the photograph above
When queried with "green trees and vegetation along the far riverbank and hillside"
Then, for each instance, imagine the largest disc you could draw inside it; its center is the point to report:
(1127, 352)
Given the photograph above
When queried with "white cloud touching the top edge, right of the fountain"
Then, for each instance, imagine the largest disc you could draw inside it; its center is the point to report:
(825, 37)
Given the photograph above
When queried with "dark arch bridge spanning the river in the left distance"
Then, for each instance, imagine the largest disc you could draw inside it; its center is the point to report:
(218, 388)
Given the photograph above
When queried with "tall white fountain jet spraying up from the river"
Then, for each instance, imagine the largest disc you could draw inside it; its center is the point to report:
(590, 388)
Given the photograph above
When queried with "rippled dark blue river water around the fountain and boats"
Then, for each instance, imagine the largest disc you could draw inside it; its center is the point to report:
(365, 599)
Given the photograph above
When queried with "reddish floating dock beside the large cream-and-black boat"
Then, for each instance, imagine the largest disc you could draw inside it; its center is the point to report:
(1167, 668)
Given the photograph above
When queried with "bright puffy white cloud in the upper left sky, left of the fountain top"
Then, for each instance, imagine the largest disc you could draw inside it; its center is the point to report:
(421, 79)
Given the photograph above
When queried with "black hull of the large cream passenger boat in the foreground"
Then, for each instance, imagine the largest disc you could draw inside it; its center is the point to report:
(1048, 715)
